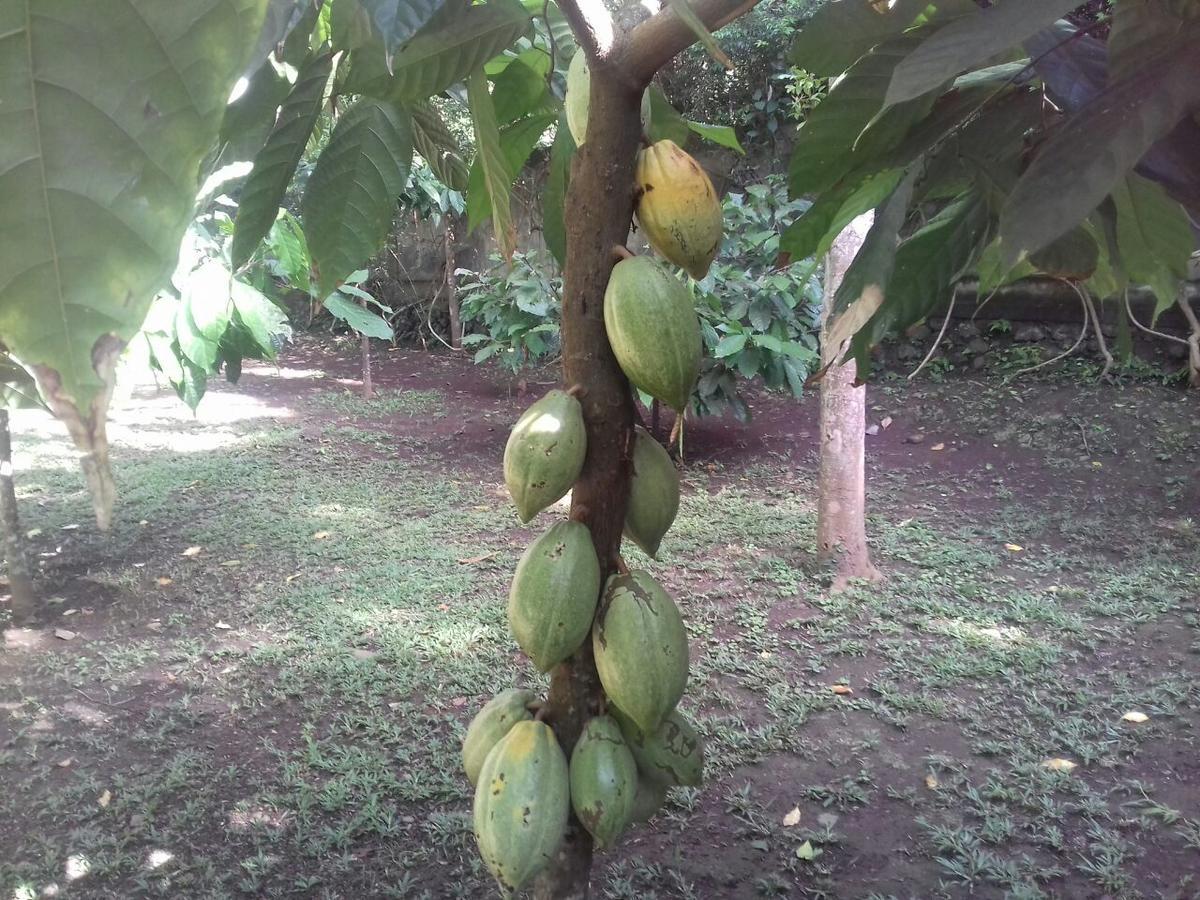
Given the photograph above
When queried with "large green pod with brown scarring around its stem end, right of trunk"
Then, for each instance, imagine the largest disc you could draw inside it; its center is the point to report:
(641, 649)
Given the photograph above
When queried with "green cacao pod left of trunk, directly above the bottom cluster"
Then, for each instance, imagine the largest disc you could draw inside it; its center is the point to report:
(555, 595)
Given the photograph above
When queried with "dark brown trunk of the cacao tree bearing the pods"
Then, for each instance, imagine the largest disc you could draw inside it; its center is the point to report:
(601, 197)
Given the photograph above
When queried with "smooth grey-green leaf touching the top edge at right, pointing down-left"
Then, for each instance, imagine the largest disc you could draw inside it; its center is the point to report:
(969, 41)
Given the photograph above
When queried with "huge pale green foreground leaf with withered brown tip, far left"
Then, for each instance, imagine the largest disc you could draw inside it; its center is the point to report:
(107, 110)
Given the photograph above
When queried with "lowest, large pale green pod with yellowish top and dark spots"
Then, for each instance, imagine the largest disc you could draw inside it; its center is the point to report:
(523, 802)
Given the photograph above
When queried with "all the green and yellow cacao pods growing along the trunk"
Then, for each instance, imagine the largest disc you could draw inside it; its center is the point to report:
(638, 745)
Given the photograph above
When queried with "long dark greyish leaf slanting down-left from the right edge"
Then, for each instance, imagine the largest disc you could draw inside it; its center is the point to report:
(1064, 185)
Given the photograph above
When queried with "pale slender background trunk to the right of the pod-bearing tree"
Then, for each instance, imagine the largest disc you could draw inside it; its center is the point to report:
(842, 487)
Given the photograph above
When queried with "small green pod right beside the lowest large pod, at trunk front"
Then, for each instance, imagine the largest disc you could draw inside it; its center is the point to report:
(604, 781)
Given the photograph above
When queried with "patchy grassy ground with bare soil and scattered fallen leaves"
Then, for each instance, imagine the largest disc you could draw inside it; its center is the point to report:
(278, 650)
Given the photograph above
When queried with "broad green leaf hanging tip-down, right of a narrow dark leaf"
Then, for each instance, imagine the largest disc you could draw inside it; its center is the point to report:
(351, 197)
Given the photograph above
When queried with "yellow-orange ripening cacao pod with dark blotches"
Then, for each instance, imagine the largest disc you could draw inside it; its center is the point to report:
(679, 209)
